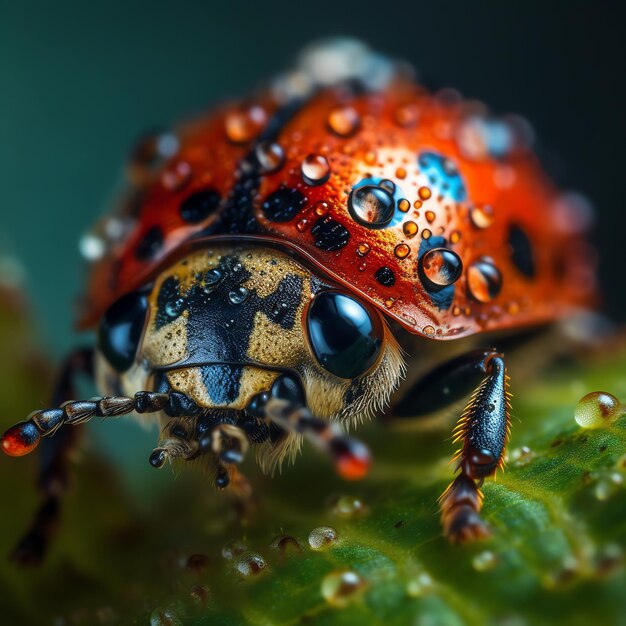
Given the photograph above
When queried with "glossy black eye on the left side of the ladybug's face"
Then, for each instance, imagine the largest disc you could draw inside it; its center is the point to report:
(121, 329)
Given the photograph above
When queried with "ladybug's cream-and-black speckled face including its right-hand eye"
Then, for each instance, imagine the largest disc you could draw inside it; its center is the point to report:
(225, 323)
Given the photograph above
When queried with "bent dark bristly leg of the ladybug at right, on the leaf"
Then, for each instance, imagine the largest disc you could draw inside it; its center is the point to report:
(482, 431)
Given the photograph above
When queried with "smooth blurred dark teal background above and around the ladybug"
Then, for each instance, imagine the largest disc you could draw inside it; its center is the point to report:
(79, 81)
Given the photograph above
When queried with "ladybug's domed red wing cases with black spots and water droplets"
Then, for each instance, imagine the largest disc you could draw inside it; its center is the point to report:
(522, 263)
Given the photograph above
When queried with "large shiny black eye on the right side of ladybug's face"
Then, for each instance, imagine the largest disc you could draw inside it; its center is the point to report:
(345, 336)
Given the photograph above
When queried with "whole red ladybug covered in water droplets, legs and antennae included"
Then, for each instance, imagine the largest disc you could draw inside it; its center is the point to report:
(296, 261)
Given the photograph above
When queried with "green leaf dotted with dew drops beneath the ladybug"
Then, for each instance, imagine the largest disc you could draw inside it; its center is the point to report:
(557, 515)
